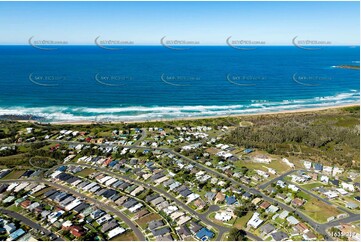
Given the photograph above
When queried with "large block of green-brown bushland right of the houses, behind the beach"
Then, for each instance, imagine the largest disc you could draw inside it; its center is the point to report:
(329, 136)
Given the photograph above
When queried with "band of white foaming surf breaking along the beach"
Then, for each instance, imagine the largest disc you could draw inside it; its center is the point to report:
(139, 113)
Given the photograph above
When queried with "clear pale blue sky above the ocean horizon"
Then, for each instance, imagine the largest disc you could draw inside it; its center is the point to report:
(209, 23)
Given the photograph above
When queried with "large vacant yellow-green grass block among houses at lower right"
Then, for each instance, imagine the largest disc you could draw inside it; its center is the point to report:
(319, 211)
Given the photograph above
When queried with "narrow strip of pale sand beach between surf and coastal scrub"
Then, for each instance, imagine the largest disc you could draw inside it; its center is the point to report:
(304, 110)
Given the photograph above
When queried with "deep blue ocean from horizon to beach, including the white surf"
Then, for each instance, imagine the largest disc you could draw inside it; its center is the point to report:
(74, 83)
